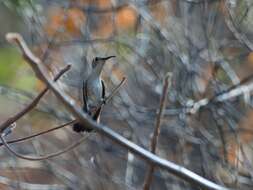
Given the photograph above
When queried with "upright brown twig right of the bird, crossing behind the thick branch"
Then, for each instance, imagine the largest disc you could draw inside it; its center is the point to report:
(154, 139)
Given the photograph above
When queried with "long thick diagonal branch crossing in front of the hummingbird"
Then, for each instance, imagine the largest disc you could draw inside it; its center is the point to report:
(84, 119)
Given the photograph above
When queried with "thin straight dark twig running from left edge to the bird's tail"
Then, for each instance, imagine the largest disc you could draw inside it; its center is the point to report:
(40, 133)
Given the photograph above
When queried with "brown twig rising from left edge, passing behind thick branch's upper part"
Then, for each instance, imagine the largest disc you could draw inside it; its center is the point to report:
(30, 106)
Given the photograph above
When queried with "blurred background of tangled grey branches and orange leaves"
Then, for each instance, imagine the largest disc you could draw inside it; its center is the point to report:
(206, 45)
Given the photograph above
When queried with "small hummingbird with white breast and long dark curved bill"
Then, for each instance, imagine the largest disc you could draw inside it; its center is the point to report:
(93, 93)
